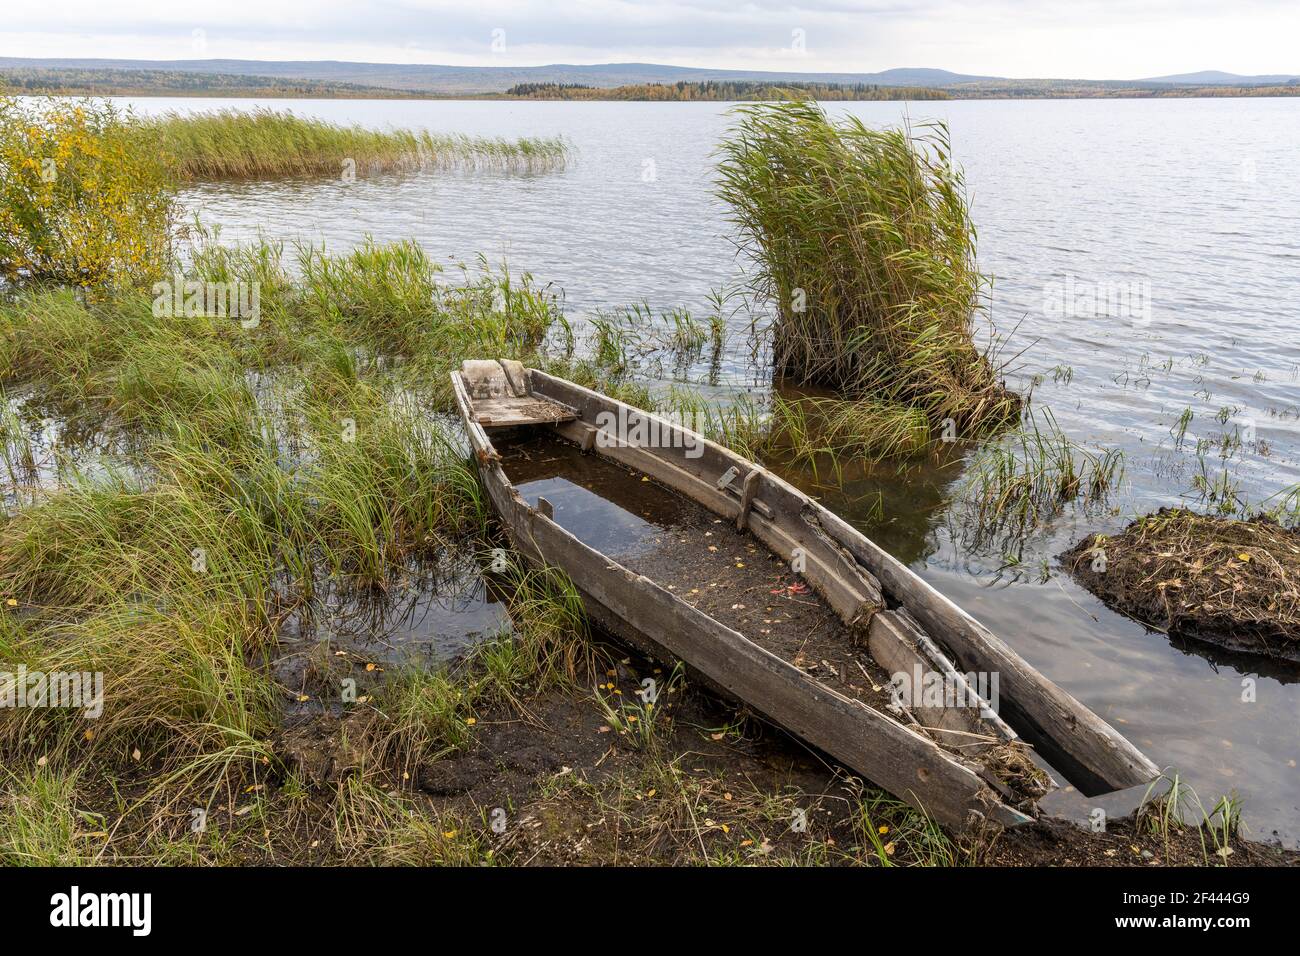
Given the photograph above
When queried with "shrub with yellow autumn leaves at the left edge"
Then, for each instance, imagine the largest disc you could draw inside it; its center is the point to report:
(86, 198)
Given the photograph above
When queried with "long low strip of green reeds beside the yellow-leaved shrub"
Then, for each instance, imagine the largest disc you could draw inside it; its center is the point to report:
(267, 144)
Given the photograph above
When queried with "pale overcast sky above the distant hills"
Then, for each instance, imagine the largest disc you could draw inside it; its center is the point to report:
(1094, 40)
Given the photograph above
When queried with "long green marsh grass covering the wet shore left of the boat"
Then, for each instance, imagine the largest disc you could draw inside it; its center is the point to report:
(228, 477)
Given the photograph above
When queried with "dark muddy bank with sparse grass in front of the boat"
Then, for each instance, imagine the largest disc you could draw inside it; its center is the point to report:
(558, 786)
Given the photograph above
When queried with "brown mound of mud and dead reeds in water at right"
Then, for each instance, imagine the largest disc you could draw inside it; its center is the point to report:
(1234, 585)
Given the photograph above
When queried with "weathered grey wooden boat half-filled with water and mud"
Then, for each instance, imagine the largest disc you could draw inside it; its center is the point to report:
(964, 759)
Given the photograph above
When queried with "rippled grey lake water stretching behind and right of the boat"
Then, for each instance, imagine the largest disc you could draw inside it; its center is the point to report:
(1181, 218)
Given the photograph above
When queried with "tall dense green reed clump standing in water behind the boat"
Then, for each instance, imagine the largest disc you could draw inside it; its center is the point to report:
(864, 243)
